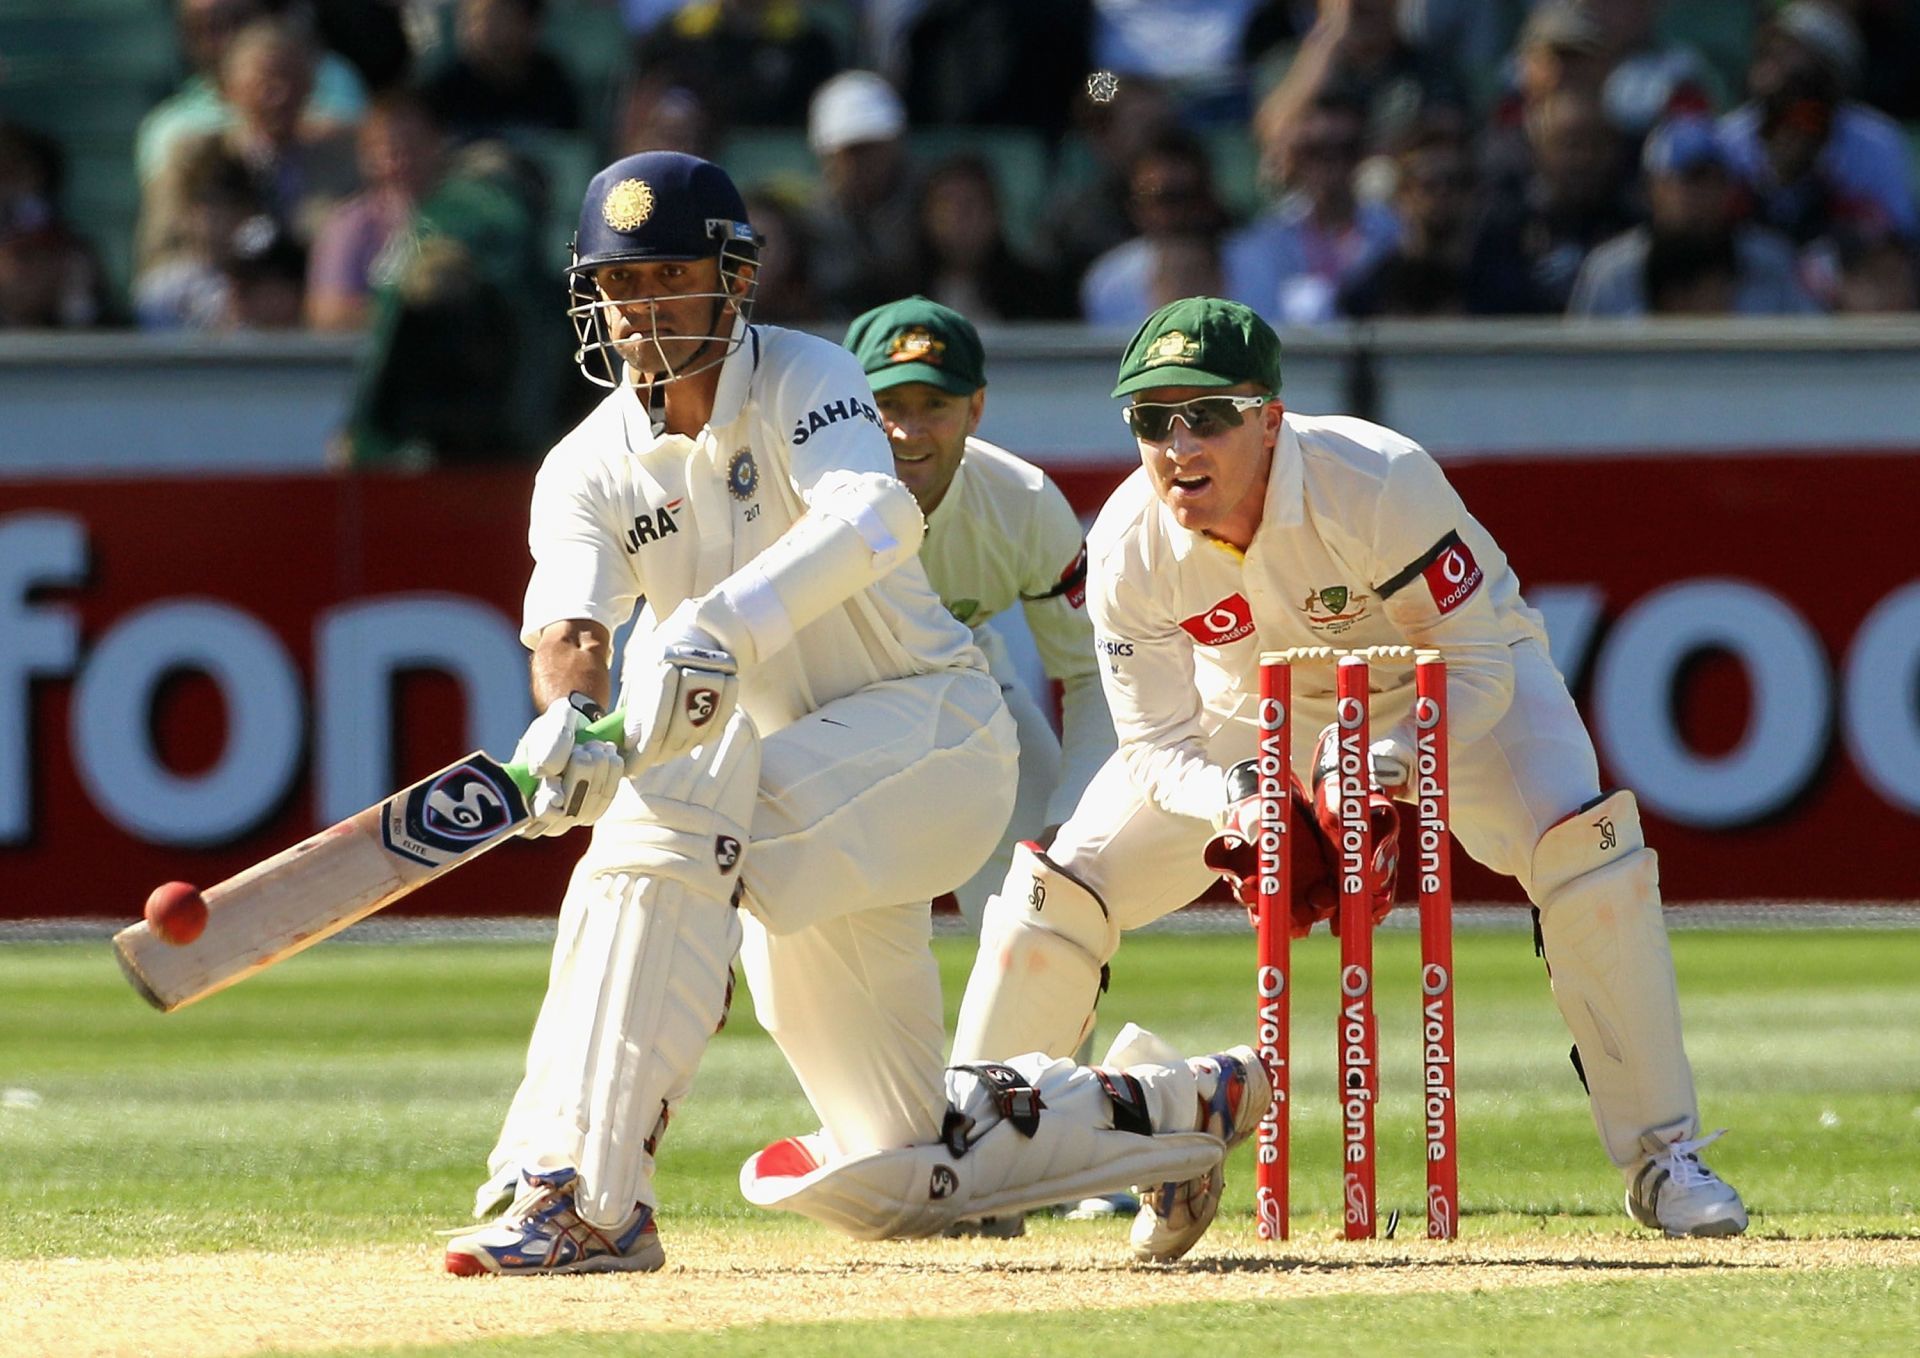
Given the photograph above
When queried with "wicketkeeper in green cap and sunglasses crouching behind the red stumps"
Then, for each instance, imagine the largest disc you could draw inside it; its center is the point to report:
(1255, 529)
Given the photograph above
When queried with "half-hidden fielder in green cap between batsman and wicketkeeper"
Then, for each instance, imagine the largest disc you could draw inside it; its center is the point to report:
(999, 533)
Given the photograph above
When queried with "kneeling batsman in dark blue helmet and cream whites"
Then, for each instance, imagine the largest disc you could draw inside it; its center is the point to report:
(813, 748)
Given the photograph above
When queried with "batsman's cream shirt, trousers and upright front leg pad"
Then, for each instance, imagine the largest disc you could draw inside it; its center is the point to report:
(884, 775)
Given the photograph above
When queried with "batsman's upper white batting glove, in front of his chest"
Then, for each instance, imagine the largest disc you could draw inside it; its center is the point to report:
(681, 691)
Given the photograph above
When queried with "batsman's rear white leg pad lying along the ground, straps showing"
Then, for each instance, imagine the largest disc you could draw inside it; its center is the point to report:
(1076, 1146)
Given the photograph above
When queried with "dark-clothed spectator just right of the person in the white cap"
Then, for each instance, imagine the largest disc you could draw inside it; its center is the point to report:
(965, 258)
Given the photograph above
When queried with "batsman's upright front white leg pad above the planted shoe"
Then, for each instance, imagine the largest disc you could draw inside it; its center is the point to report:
(642, 973)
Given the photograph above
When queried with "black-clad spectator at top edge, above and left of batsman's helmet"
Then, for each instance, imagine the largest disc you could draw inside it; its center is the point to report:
(502, 82)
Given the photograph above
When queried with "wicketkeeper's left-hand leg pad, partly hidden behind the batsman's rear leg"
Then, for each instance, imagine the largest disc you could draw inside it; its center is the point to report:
(1038, 977)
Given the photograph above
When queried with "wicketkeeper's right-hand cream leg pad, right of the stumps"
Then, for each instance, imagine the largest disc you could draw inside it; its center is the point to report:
(1614, 975)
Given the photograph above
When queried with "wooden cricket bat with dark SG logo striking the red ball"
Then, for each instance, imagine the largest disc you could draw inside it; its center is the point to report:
(339, 877)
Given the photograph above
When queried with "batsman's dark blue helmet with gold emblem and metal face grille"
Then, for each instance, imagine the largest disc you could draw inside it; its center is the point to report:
(658, 208)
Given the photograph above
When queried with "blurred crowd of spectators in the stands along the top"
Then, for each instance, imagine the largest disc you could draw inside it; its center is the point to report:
(414, 164)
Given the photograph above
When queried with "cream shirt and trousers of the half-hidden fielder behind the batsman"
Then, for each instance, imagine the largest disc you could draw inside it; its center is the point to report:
(1005, 535)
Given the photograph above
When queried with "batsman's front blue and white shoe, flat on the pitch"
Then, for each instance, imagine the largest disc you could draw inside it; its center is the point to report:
(542, 1234)
